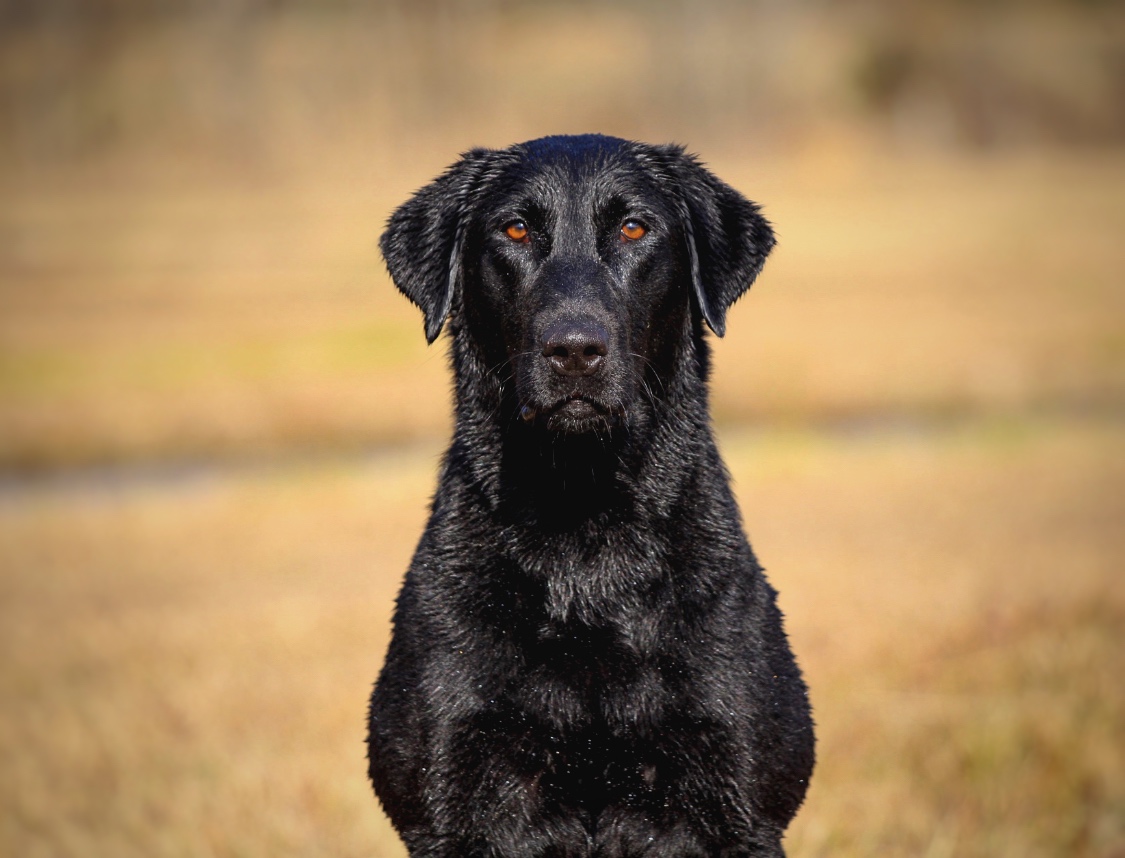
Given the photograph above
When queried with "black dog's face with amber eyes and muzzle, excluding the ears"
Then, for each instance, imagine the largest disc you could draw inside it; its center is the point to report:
(577, 255)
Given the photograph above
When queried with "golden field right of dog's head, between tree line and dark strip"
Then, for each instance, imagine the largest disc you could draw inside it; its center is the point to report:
(932, 287)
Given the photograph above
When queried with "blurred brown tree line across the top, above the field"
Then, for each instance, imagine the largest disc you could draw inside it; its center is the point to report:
(260, 79)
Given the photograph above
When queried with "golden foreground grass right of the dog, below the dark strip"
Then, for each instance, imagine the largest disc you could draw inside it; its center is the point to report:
(958, 607)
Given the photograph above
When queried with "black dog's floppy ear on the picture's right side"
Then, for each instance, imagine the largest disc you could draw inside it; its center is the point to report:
(728, 239)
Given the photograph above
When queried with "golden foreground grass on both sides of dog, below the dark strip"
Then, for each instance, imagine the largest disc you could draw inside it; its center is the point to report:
(187, 661)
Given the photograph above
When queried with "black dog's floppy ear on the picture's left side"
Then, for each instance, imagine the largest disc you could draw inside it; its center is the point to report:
(424, 241)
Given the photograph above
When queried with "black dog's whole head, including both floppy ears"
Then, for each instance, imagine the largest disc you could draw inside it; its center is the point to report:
(577, 266)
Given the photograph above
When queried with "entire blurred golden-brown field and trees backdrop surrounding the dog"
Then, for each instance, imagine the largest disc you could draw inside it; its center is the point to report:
(220, 425)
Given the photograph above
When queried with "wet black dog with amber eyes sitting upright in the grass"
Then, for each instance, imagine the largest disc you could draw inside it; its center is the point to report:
(587, 660)
